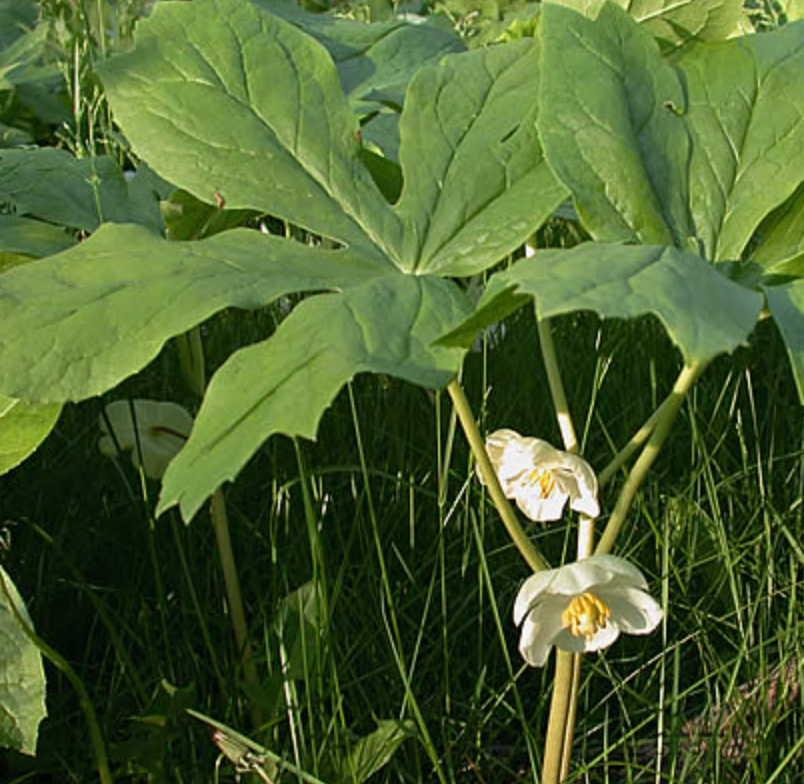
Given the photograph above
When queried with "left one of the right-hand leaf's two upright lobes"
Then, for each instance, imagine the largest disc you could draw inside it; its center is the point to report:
(610, 127)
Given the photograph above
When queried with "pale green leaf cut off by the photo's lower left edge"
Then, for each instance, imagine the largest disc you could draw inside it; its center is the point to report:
(22, 678)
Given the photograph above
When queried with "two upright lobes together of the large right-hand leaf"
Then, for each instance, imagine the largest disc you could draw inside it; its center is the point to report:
(694, 154)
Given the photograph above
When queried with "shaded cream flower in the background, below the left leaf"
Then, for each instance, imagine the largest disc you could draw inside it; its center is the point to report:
(156, 433)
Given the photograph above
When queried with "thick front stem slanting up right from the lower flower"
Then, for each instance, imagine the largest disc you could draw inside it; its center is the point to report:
(666, 416)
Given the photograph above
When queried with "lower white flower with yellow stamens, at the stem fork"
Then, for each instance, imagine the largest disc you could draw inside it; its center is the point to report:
(582, 607)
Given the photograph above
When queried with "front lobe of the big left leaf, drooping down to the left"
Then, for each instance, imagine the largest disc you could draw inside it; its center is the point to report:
(283, 384)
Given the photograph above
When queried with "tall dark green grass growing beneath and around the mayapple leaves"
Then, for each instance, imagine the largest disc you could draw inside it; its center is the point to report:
(416, 576)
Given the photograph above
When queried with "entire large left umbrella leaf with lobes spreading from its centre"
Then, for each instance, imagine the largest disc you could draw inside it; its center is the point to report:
(230, 103)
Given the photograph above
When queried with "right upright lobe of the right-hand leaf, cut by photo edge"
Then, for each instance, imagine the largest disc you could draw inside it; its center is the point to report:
(746, 114)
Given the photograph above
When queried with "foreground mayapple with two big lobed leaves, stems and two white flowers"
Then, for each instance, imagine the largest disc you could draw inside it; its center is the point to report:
(683, 172)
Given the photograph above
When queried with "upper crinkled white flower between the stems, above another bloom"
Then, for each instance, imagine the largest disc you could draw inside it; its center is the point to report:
(540, 478)
